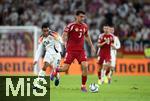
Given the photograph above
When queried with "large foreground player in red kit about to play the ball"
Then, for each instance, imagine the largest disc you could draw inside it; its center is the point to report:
(73, 37)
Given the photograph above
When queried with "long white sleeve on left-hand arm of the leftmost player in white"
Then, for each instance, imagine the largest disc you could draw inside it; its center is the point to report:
(39, 52)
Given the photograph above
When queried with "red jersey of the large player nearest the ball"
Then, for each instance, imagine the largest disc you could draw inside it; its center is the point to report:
(76, 33)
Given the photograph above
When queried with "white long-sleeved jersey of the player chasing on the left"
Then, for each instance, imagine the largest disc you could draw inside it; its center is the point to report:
(51, 44)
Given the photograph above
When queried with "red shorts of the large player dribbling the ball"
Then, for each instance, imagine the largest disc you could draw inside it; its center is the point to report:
(71, 55)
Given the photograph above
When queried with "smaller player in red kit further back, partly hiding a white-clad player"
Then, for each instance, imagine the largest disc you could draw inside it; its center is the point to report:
(104, 54)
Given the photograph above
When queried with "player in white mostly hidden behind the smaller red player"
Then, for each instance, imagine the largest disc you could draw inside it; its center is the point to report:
(114, 47)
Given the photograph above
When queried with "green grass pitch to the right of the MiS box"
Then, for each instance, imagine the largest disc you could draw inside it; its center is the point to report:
(122, 88)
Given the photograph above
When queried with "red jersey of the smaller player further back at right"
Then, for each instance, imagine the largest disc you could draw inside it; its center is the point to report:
(106, 48)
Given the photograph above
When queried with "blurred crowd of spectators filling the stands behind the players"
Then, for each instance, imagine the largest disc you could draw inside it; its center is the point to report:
(131, 18)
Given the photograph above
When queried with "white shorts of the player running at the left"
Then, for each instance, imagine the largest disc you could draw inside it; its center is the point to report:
(53, 59)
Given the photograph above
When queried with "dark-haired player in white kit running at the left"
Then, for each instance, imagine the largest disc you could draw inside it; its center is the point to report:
(51, 42)
